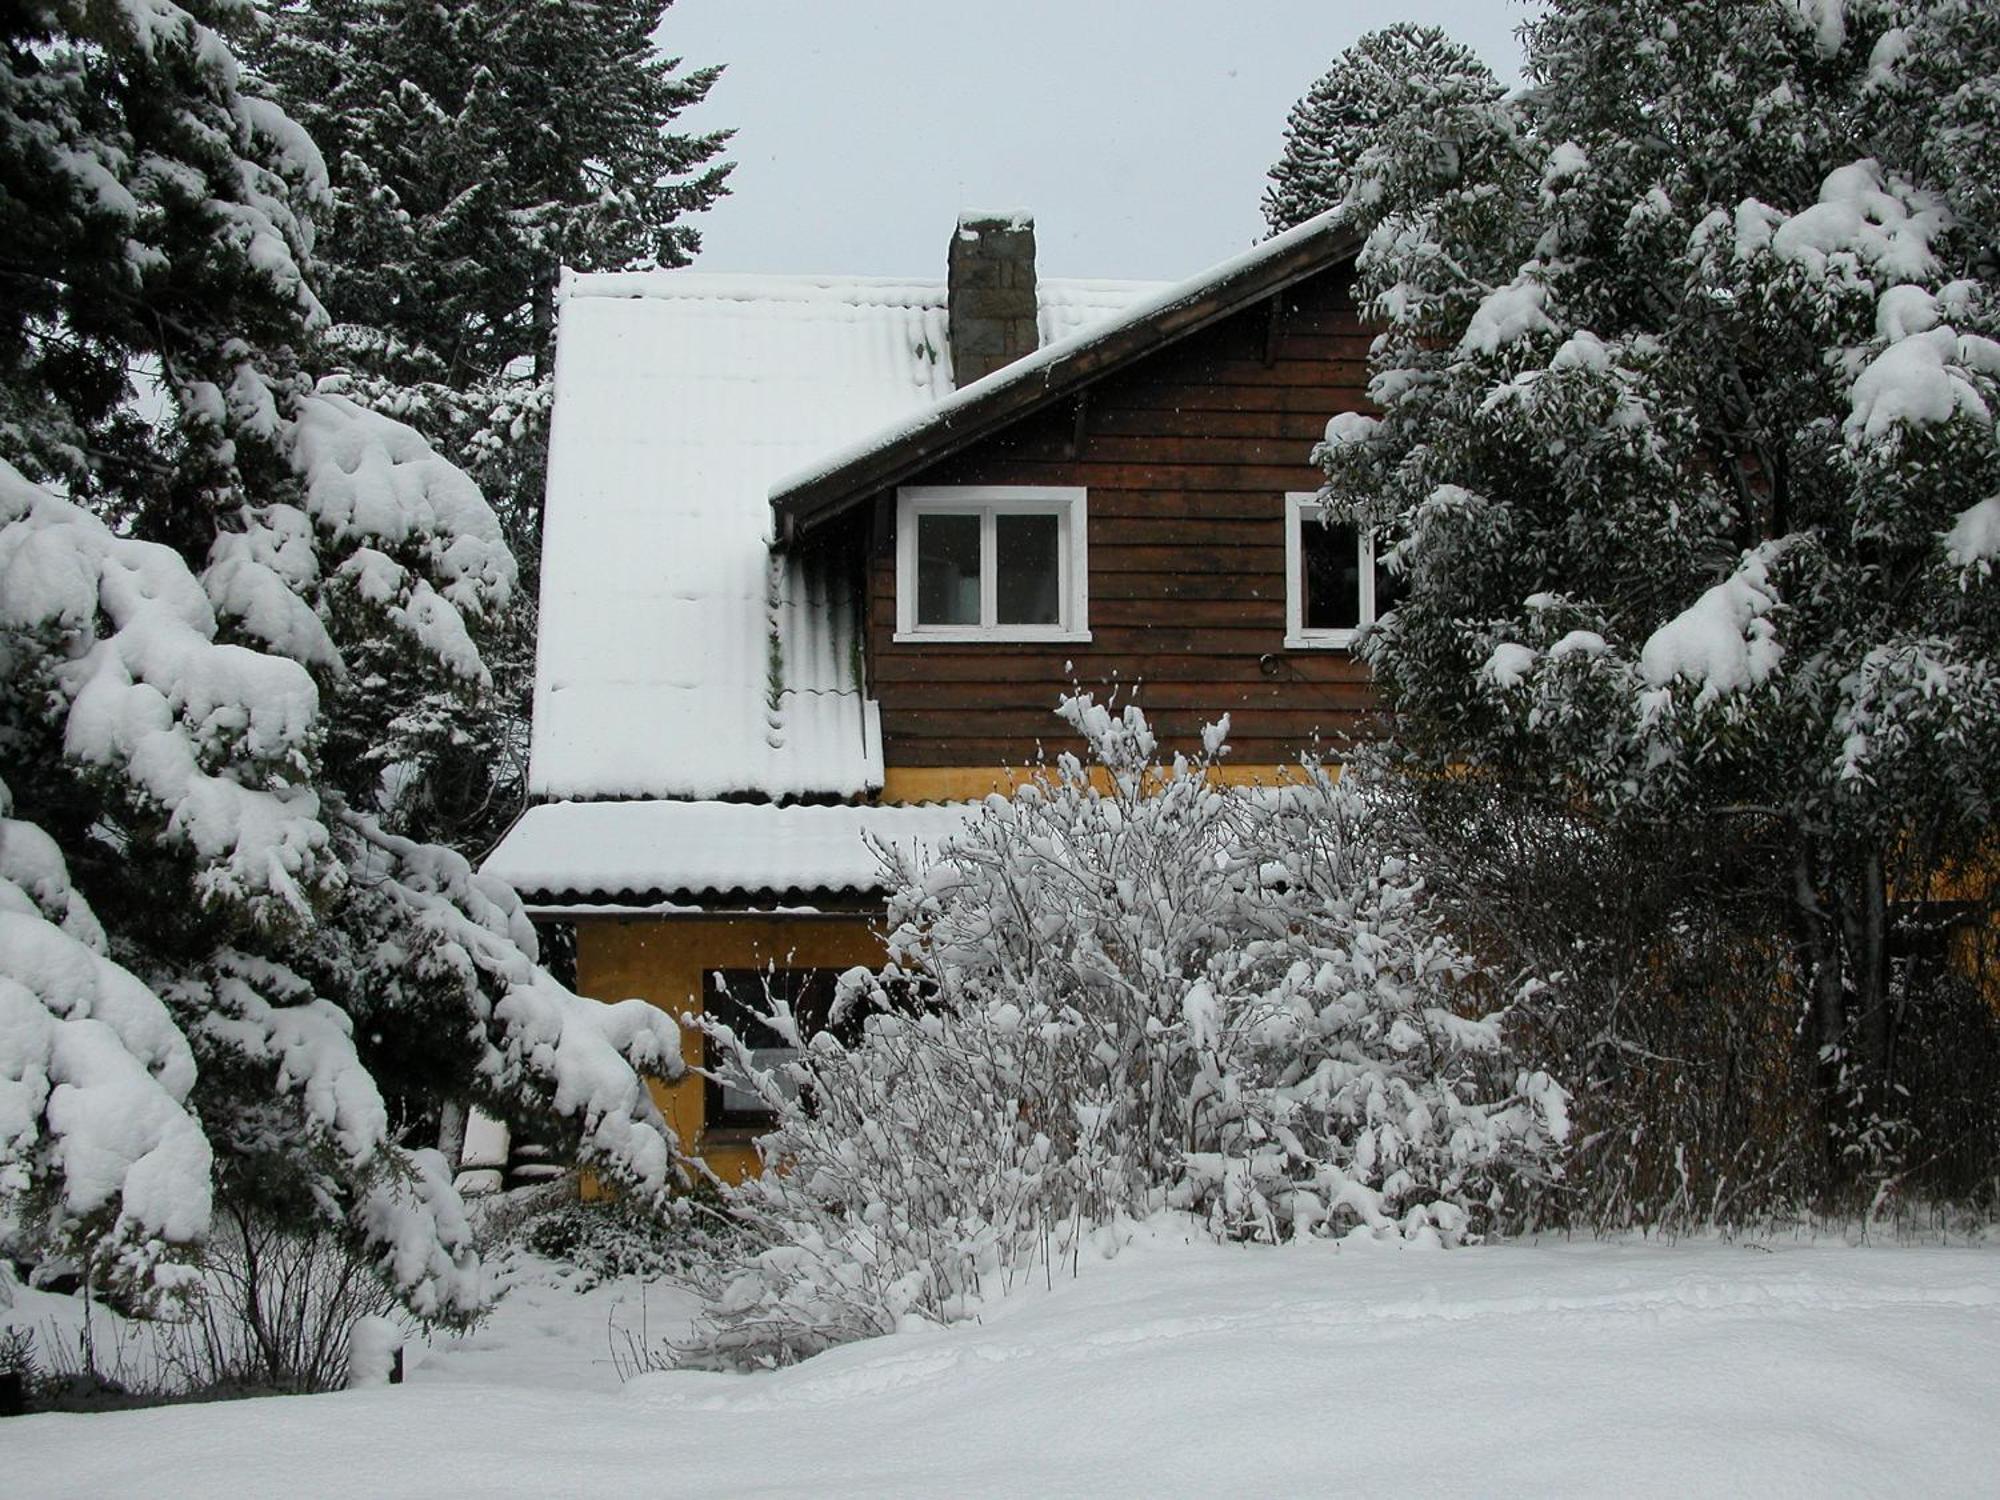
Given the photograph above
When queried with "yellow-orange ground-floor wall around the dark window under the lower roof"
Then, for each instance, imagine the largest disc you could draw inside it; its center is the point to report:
(663, 961)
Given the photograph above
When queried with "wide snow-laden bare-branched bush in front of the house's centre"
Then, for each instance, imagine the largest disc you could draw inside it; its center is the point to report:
(1129, 989)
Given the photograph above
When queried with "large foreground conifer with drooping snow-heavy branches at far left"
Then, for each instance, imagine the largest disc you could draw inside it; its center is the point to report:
(219, 975)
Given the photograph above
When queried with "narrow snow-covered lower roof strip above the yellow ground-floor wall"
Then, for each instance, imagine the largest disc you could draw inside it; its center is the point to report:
(711, 849)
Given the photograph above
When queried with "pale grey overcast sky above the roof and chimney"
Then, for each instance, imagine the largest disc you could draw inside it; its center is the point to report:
(1135, 131)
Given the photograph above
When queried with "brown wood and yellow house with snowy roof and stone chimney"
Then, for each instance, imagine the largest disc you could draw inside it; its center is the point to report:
(823, 555)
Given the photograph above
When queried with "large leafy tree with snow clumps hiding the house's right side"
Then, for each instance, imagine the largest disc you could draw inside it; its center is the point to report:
(1689, 455)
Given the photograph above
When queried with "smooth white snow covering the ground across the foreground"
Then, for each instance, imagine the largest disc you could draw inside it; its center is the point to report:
(1179, 1369)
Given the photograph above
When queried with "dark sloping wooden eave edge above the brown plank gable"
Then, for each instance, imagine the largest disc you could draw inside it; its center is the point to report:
(823, 497)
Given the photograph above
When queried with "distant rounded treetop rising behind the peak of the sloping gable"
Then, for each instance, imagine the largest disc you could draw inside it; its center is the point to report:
(1375, 83)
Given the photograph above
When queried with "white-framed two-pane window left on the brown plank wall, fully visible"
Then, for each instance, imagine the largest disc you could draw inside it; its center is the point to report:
(993, 563)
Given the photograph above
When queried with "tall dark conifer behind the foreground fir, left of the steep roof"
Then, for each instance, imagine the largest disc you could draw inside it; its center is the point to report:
(475, 149)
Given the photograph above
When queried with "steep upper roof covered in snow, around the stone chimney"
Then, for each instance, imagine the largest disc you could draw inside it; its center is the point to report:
(677, 657)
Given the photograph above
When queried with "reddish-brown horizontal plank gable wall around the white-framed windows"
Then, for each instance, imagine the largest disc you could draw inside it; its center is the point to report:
(1187, 457)
